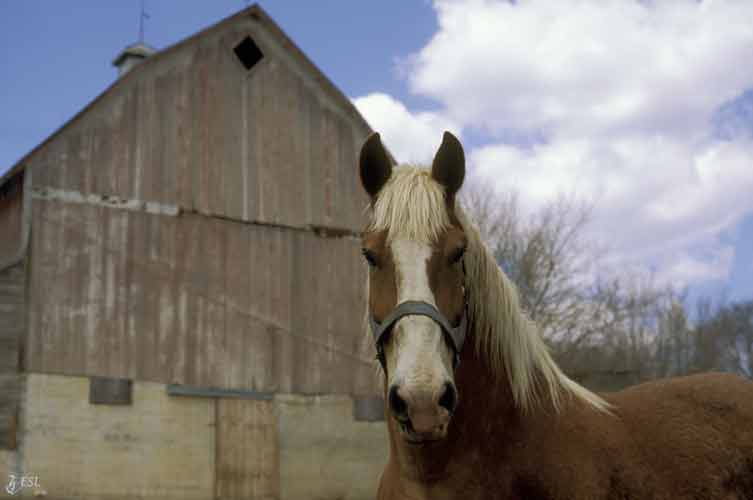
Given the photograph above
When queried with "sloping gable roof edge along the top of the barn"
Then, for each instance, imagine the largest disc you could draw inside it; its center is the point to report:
(255, 12)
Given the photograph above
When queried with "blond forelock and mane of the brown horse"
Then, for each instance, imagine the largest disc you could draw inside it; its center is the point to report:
(412, 205)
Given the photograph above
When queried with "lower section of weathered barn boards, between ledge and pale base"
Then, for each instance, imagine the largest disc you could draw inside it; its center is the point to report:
(195, 300)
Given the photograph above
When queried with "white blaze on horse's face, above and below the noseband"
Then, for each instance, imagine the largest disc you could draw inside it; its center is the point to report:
(418, 357)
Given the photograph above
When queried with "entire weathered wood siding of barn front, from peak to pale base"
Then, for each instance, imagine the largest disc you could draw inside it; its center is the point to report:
(235, 285)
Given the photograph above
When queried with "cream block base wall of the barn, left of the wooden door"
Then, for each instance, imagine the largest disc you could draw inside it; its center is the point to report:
(160, 447)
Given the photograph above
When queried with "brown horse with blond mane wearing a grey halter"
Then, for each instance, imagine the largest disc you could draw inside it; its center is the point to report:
(478, 409)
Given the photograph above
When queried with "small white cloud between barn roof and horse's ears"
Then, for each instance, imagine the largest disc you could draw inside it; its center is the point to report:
(410, 137)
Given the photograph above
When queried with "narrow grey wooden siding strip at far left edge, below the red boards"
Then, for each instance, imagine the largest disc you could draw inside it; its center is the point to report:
(12, 327)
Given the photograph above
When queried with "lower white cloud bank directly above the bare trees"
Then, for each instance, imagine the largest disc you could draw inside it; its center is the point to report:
(649, 196)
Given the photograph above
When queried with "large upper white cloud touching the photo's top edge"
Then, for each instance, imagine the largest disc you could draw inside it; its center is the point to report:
(585, 67)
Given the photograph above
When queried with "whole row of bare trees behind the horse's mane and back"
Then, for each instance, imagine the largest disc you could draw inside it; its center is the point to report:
(626, 324)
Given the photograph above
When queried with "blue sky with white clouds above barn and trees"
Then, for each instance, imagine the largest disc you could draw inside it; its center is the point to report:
(642, 109)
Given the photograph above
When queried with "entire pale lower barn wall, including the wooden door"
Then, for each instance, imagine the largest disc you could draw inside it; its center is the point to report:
(161, 446)
